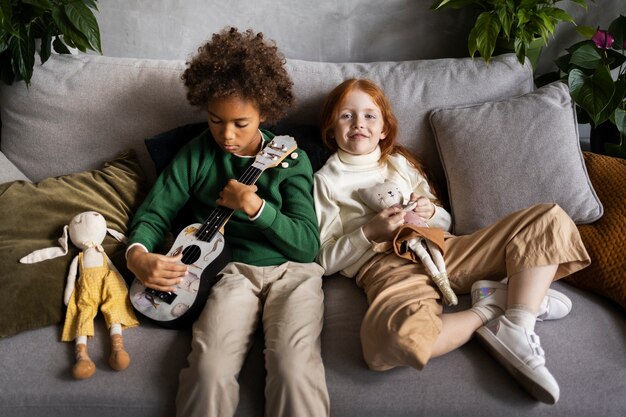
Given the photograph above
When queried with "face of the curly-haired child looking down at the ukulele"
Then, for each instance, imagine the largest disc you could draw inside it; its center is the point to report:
(234, 123)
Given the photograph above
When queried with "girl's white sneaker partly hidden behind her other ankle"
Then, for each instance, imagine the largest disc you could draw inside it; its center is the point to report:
(555, 304)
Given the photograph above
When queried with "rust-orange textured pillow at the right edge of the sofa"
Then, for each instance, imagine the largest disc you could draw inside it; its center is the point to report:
(605, 239)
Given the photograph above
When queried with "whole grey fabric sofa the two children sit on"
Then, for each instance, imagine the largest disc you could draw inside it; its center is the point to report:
(81, 111)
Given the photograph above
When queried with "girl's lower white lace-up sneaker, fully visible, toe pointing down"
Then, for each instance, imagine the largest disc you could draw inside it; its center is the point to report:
(520, 352)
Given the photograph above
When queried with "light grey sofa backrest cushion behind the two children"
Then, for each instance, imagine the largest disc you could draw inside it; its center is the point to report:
(81, 110)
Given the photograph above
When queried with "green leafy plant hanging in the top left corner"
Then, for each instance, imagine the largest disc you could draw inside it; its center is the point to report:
(58, 24)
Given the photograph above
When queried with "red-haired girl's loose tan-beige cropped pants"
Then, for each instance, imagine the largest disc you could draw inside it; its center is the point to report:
(404, 316)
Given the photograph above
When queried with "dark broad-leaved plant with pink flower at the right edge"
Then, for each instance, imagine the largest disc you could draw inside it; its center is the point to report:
(595, 72)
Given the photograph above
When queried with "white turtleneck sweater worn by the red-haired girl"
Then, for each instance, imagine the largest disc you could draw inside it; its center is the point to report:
(341, 213)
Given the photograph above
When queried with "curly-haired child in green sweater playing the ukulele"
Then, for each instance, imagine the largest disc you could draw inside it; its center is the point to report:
(239, 78)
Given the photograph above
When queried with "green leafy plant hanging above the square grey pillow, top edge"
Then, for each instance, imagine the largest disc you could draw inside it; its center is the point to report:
(524, 25)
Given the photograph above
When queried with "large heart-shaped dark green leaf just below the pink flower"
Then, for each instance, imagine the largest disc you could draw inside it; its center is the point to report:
(592, 93)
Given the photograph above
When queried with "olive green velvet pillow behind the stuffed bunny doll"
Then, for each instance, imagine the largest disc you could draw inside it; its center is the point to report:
(32, 217)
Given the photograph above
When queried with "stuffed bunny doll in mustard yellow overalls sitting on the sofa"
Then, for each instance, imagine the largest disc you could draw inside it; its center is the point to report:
(99, 285)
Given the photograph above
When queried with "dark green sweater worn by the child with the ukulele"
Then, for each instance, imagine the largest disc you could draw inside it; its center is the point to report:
(286, 229)
